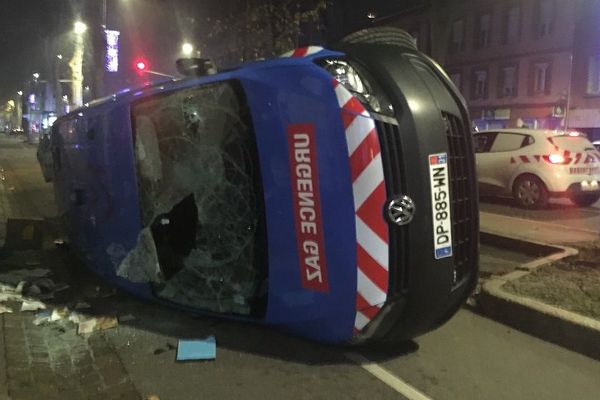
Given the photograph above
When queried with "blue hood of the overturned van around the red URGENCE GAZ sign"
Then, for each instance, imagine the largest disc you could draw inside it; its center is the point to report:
(280, 98)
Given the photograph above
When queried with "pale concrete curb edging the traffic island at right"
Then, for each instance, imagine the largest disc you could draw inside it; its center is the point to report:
(552, 324)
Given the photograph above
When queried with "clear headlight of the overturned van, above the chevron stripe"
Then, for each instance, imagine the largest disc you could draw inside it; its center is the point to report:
(358, 85)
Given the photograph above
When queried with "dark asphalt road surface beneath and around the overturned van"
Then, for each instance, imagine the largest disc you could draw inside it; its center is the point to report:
(470, 357)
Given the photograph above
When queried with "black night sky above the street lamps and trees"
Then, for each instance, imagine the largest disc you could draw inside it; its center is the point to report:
(27, 25)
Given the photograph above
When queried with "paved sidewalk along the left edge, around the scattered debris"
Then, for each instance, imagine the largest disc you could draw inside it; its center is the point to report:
(47, 361)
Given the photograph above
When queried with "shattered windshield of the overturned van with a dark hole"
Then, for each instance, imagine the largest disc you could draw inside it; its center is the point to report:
(201, 202)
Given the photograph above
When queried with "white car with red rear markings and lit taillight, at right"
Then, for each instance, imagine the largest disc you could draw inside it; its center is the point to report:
(533, 165)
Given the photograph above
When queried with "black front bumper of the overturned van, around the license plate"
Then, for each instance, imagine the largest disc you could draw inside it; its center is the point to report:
(429, 117)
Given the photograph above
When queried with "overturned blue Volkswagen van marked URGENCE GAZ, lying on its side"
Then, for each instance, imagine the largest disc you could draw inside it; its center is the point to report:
(328, 192)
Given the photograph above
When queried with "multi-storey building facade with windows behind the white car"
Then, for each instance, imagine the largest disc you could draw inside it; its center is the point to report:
(533, 63)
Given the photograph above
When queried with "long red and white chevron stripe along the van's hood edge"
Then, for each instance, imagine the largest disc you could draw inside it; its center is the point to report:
(368, 187)
